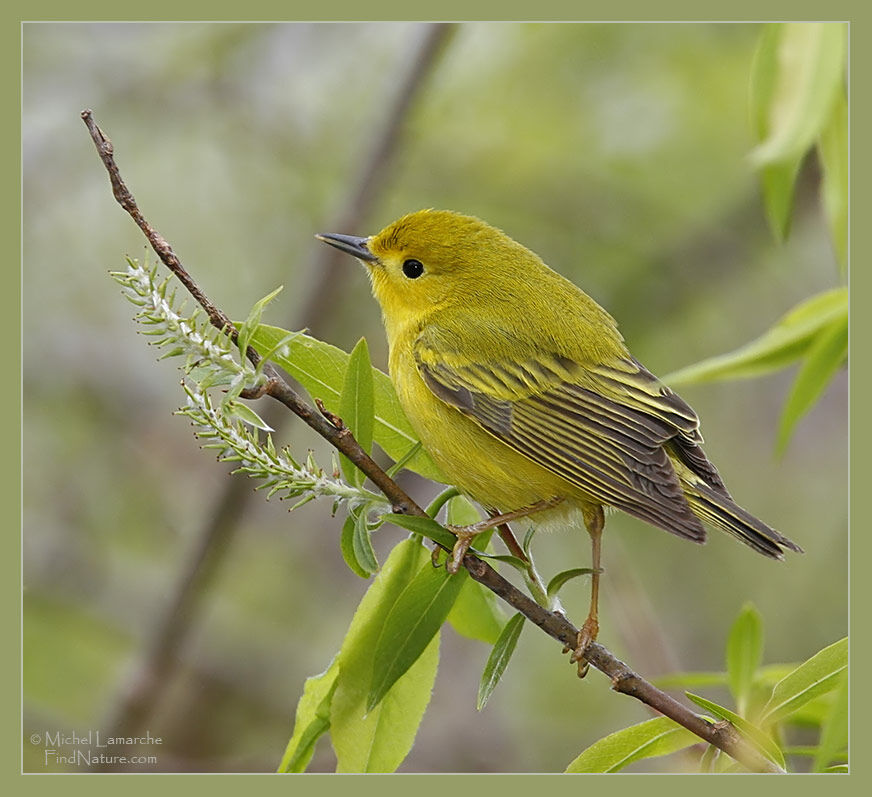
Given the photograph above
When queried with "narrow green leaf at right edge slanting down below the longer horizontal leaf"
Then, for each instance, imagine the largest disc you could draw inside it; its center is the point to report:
(825, 357)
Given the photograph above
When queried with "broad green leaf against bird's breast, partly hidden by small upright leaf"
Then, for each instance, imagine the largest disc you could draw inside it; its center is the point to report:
(320, 368)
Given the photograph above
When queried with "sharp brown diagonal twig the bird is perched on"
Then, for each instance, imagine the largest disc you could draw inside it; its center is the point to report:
(624, 680)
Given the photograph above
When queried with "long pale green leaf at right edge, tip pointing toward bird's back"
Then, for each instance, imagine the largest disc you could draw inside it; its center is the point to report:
(785, 342)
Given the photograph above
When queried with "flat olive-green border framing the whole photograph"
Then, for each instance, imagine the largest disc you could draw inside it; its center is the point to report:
(636, 10)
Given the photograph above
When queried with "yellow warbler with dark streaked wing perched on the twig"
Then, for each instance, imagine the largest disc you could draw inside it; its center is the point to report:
(520, 387)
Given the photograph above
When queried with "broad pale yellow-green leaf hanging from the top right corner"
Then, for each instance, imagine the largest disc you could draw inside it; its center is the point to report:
(810, 65)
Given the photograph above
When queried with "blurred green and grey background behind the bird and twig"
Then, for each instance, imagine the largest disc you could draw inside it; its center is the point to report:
(615, 151)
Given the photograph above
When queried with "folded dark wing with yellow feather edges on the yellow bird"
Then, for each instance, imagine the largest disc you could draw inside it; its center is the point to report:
(605, 428)
